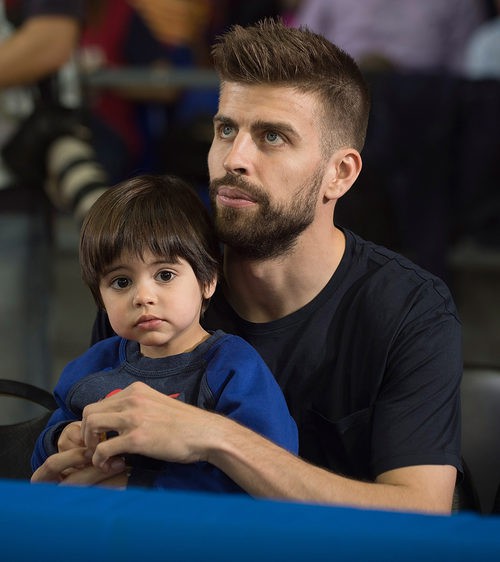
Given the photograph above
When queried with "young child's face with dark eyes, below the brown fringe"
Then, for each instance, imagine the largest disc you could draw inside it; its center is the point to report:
(155, 303)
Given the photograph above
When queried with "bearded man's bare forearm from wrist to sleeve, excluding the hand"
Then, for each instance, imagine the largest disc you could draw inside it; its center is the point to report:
(263, 469)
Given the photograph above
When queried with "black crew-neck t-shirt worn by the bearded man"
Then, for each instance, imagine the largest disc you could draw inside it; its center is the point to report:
(370, 368)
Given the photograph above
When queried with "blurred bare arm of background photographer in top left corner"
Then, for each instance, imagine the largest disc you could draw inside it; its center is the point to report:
(38, 48)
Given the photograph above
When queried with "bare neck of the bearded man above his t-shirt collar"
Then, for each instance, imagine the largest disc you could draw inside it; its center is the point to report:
(266, 290)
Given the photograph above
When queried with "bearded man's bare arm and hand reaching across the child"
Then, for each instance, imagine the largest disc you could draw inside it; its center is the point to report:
(161, 427)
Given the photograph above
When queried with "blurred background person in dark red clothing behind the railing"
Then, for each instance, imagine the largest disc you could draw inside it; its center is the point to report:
(115, 35)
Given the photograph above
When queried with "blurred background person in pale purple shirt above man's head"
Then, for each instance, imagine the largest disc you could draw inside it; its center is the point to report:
(407, 35)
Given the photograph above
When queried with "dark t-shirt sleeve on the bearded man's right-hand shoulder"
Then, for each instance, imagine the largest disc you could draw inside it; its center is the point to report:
(416, 416)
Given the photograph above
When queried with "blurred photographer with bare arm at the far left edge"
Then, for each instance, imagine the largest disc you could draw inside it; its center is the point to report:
(46, 34)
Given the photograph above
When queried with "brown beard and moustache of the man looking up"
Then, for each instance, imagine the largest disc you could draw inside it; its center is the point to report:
(273, 230)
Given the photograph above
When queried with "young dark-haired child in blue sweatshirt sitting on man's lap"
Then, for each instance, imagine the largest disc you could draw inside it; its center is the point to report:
(150, 257)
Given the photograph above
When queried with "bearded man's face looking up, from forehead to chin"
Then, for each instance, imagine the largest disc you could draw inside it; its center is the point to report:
(265, 167)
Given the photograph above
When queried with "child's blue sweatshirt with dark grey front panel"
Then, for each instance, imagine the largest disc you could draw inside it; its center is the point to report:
(223, 374)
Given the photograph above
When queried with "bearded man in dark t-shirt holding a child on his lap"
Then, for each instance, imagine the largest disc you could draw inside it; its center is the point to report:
(365, 345)
